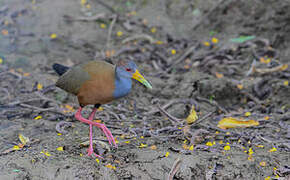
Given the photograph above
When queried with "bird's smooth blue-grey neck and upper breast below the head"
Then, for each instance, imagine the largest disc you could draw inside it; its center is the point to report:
(122, 86)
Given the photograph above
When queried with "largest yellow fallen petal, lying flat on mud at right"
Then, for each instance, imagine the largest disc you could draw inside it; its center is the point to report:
(231, 122)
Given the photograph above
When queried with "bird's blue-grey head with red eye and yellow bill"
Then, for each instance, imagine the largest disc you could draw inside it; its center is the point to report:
(128, 69)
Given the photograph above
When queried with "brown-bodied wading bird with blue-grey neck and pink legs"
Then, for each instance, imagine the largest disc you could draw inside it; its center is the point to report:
(97, 83)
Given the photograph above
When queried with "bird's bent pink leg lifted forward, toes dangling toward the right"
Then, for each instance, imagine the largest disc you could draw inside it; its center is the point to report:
(107, 132)
